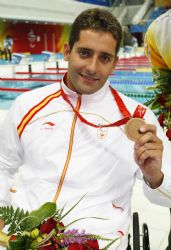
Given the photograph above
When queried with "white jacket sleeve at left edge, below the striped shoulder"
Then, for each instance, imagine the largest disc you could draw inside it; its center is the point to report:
(11, 153)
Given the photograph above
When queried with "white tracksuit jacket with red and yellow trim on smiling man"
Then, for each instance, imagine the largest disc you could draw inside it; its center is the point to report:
(51, 142)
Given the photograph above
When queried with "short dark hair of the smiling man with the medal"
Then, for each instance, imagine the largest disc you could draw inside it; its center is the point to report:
(100, 20)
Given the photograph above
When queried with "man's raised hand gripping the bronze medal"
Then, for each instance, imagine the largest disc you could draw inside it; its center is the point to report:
(148, 151)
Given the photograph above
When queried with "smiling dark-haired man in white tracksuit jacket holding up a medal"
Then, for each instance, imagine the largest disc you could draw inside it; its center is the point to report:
(69, 139)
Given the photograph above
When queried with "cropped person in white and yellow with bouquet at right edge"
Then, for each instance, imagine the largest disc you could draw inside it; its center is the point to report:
(158, 50)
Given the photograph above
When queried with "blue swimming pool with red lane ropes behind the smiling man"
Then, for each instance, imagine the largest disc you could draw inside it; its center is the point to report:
(130, 78)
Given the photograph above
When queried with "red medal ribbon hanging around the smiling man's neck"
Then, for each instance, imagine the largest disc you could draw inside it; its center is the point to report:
(121, 107)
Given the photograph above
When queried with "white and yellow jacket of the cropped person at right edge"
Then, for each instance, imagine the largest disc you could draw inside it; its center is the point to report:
(157, 47)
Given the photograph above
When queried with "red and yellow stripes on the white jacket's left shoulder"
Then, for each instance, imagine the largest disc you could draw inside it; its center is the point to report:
(33, 111)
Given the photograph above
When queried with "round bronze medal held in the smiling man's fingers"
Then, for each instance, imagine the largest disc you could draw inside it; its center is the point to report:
(132, 128)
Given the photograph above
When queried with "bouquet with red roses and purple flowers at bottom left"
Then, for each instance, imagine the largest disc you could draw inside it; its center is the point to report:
(42, 229)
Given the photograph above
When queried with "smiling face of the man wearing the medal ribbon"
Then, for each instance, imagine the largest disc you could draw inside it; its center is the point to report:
(90, 62)
